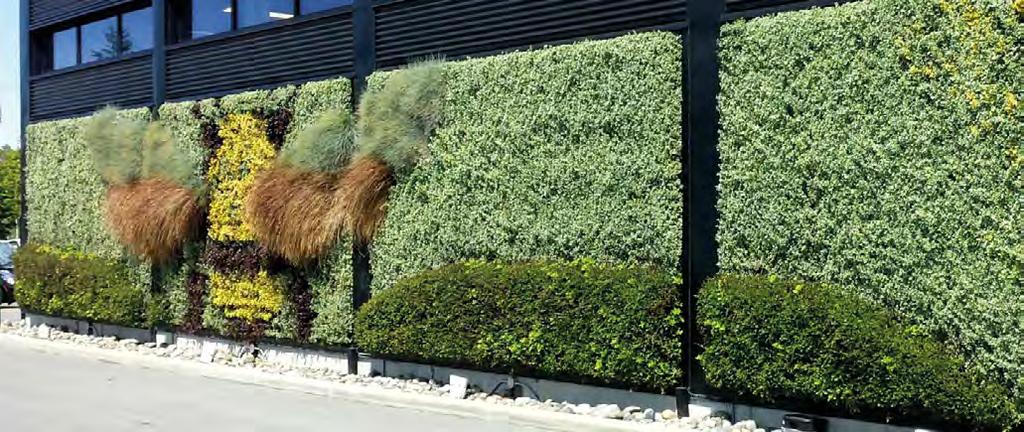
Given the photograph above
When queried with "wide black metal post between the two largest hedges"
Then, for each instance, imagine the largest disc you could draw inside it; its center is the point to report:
(701, 172)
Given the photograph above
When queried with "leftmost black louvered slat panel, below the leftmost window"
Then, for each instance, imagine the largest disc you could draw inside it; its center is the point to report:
(126, 83)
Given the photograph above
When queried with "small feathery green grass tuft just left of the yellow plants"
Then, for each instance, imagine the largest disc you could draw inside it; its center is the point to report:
(163, 159)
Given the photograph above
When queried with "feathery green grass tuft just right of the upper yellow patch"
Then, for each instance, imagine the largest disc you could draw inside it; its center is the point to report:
(325, 147)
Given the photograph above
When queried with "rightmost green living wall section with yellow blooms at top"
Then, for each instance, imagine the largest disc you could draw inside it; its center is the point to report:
(876, 147)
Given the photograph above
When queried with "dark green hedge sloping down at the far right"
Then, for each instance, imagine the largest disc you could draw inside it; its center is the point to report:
(777, 340)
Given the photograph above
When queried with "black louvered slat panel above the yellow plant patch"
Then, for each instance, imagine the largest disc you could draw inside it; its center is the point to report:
(305, 51)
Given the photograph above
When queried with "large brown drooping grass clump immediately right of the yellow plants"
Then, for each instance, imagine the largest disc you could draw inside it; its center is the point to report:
(296, 214)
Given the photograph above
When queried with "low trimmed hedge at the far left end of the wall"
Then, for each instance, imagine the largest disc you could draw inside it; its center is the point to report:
(75, 285)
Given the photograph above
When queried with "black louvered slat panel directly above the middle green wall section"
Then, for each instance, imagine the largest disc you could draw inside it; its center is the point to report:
(409, 30)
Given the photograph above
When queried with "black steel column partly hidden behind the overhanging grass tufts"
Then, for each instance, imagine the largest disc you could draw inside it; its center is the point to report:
(365, 36)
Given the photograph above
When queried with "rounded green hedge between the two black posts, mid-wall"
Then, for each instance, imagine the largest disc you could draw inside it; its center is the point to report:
(600, 324)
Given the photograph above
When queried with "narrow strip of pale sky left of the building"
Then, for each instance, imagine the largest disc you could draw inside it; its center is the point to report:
(11, 95)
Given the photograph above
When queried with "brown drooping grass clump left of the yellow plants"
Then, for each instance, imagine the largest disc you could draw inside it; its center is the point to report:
(153, 218)
